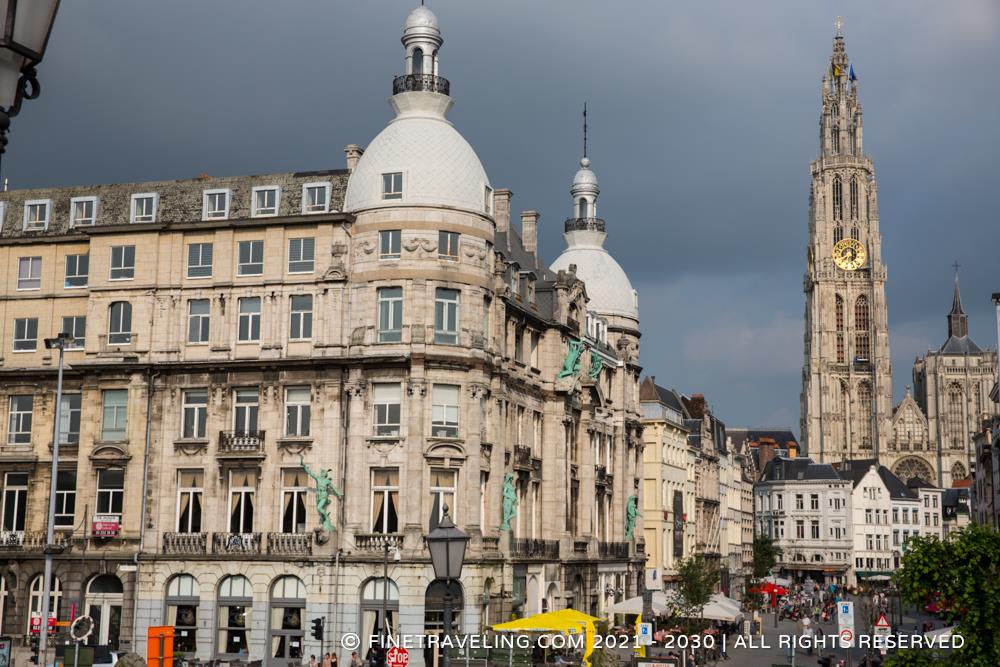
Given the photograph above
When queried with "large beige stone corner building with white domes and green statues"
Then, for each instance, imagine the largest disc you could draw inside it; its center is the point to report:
(385, 323)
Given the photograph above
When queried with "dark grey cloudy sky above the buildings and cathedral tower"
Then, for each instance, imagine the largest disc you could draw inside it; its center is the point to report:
(704, 118)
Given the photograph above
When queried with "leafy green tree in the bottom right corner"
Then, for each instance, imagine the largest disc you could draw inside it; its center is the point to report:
(964, 570)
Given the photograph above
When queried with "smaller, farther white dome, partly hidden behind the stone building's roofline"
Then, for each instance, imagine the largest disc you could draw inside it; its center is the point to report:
(608, 288)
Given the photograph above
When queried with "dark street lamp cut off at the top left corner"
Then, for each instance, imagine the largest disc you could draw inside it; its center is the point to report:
(24, 34)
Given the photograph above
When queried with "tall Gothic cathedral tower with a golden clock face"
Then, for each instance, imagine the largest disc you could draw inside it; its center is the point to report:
(847, 378)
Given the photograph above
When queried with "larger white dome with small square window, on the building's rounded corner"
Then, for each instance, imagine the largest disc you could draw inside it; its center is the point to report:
(439, 166)
